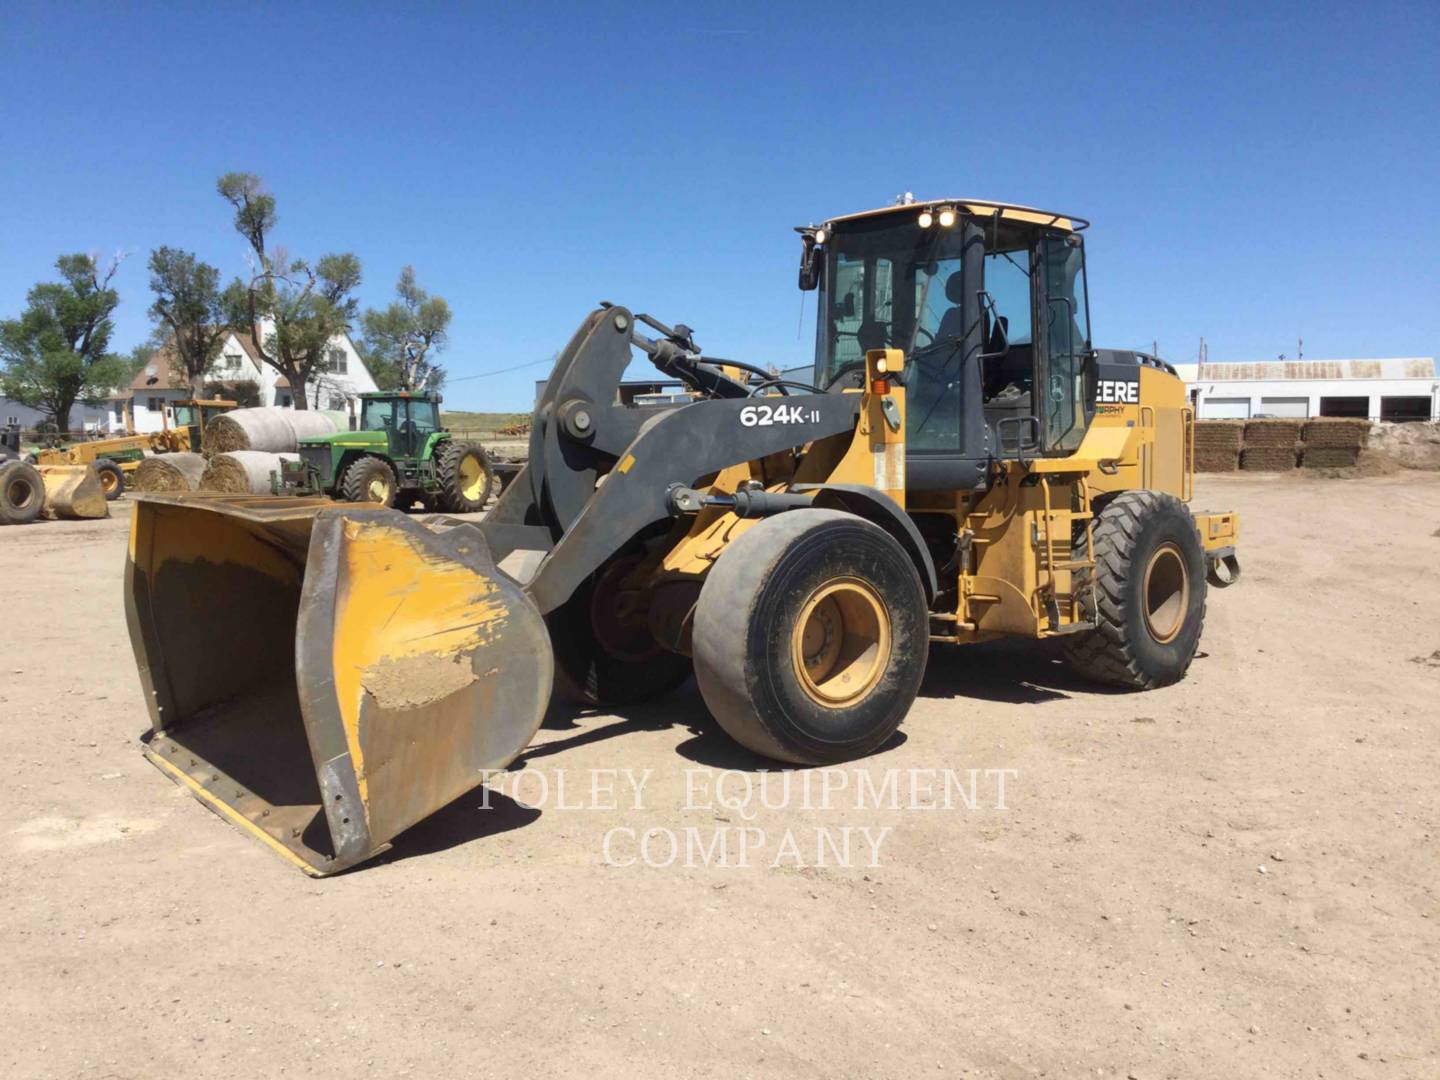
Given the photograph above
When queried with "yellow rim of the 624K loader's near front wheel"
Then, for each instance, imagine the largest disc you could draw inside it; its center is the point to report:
(842, 643)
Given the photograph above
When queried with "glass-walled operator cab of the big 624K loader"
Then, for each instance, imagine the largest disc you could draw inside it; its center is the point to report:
(987, 302)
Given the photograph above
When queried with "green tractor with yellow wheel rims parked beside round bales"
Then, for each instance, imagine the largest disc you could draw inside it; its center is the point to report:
(398, 456)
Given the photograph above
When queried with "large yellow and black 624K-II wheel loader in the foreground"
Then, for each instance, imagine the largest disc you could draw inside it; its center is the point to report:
(961, 466)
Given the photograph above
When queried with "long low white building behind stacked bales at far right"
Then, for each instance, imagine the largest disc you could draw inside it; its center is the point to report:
(1395, 390)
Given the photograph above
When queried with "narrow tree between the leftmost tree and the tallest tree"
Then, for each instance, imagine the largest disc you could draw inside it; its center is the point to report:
(188, 309)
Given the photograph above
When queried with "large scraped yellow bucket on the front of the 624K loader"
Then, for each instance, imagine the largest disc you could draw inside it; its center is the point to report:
(326, 676)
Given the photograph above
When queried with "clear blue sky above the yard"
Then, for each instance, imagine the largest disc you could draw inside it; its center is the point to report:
(1254, 172)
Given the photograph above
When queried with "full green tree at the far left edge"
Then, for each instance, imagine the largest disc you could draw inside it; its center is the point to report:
(58, 351)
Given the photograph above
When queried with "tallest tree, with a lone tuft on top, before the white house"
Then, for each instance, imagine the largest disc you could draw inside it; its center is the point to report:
(292, 307)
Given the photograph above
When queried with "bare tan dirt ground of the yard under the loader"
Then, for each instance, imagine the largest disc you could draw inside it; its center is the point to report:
(1232, 878)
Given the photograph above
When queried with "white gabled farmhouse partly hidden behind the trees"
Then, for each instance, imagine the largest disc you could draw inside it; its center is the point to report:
(333, 385)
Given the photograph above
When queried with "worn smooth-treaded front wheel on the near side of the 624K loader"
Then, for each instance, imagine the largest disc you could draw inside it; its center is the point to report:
(811, 637)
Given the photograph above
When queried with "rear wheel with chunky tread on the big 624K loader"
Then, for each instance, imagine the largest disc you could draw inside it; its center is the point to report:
(1151, 594)
